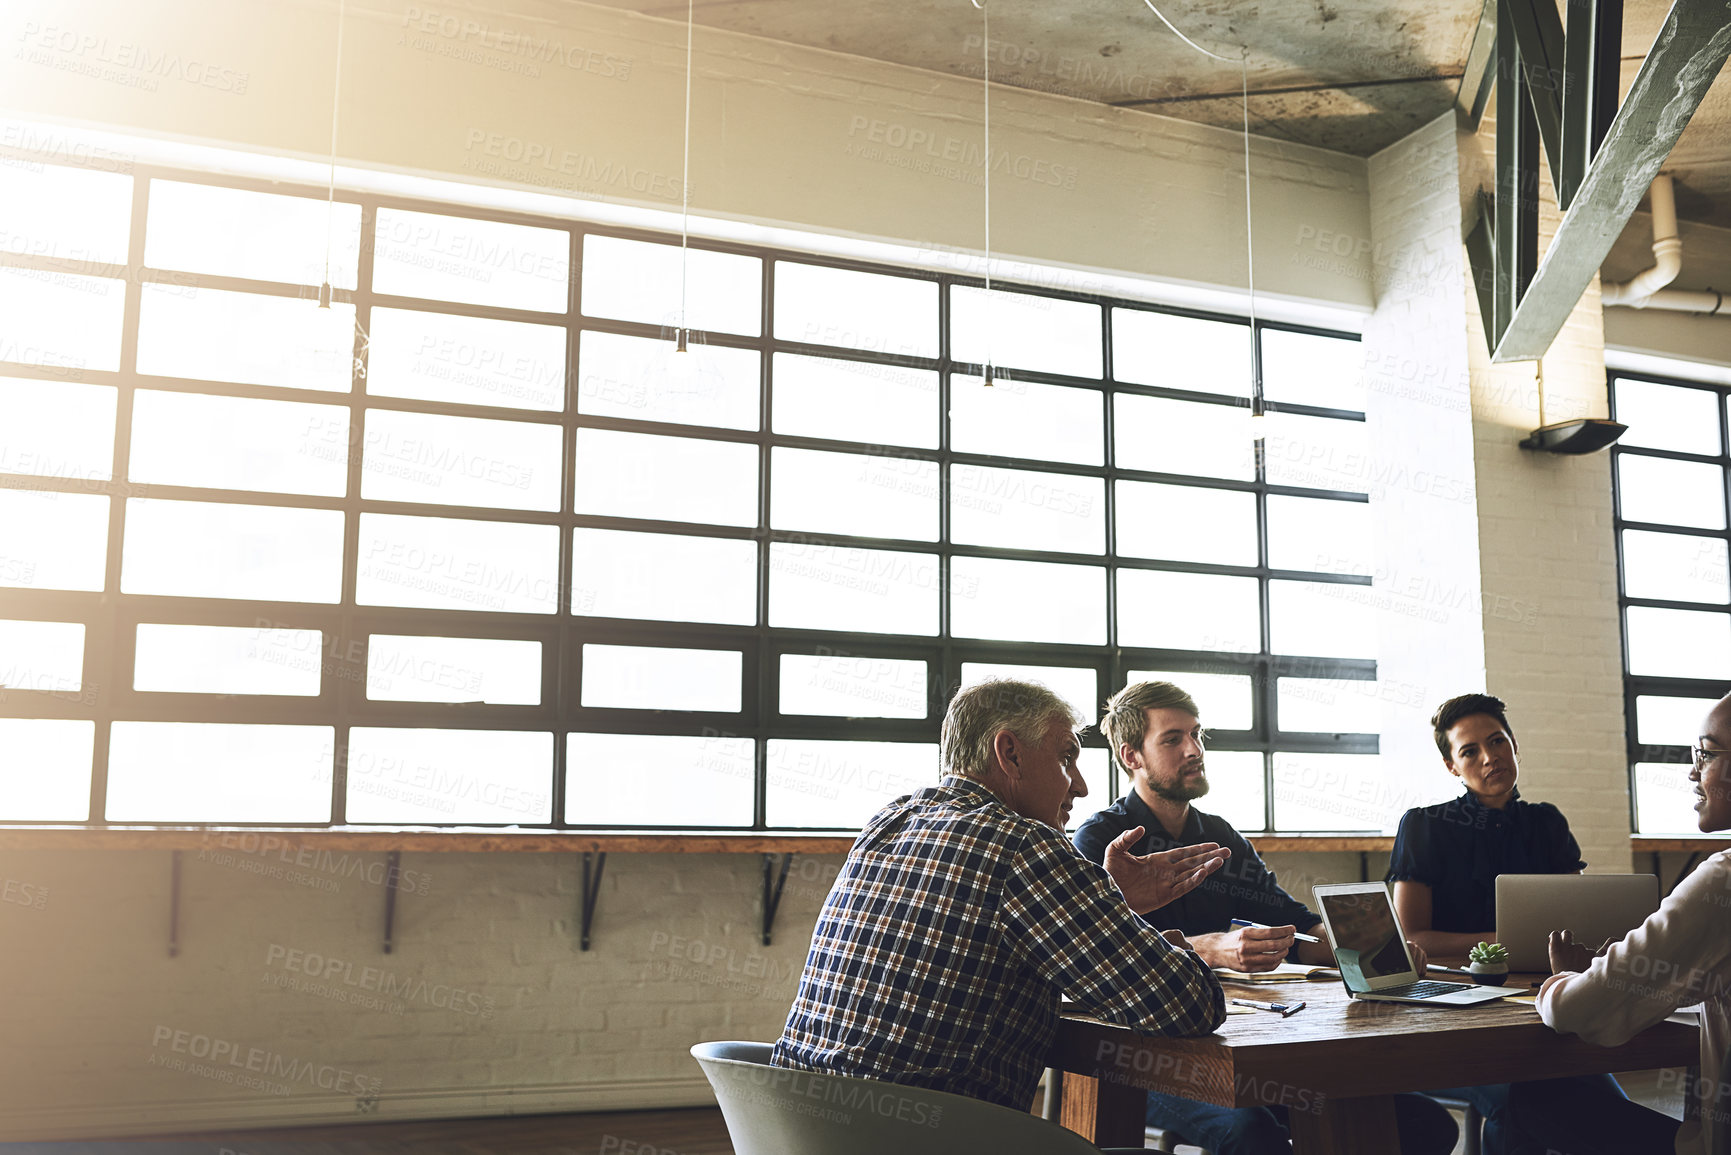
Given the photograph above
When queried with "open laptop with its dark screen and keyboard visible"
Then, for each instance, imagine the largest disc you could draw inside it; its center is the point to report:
(1372, 953)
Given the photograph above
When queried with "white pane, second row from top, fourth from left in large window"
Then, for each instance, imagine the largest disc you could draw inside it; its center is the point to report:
(650, 380)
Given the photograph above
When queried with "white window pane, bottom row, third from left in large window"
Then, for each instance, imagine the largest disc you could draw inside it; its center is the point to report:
(449, 777)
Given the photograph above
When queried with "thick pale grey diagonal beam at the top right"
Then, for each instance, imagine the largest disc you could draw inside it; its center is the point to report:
(1683, 63)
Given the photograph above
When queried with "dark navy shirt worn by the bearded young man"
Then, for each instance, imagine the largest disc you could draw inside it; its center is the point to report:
(1244, 887)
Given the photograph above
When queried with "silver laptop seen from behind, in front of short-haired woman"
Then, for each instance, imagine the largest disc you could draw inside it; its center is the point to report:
(1593, 907)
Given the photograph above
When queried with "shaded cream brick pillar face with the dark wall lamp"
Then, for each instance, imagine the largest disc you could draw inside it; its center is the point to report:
(1550, 564)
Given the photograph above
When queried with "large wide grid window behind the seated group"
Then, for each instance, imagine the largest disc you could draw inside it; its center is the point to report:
(477, 546)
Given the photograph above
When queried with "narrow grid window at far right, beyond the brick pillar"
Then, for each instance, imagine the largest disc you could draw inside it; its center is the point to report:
(1673, 534)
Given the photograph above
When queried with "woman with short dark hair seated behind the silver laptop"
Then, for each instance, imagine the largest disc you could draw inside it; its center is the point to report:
(1445, 872)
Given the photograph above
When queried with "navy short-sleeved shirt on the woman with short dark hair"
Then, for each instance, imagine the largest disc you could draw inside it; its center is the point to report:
(1460, 848)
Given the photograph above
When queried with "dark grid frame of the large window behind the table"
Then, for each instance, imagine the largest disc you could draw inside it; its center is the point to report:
(112, 617)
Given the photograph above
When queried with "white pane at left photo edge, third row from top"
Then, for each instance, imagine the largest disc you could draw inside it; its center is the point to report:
(58, 429)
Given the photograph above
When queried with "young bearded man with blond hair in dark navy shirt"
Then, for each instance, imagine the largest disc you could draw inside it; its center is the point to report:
(1157, 737)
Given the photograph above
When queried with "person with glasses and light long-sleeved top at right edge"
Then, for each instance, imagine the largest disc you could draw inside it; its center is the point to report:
(1678, 957)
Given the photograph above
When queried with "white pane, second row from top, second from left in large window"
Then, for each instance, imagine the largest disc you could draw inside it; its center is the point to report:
(216, 335)
